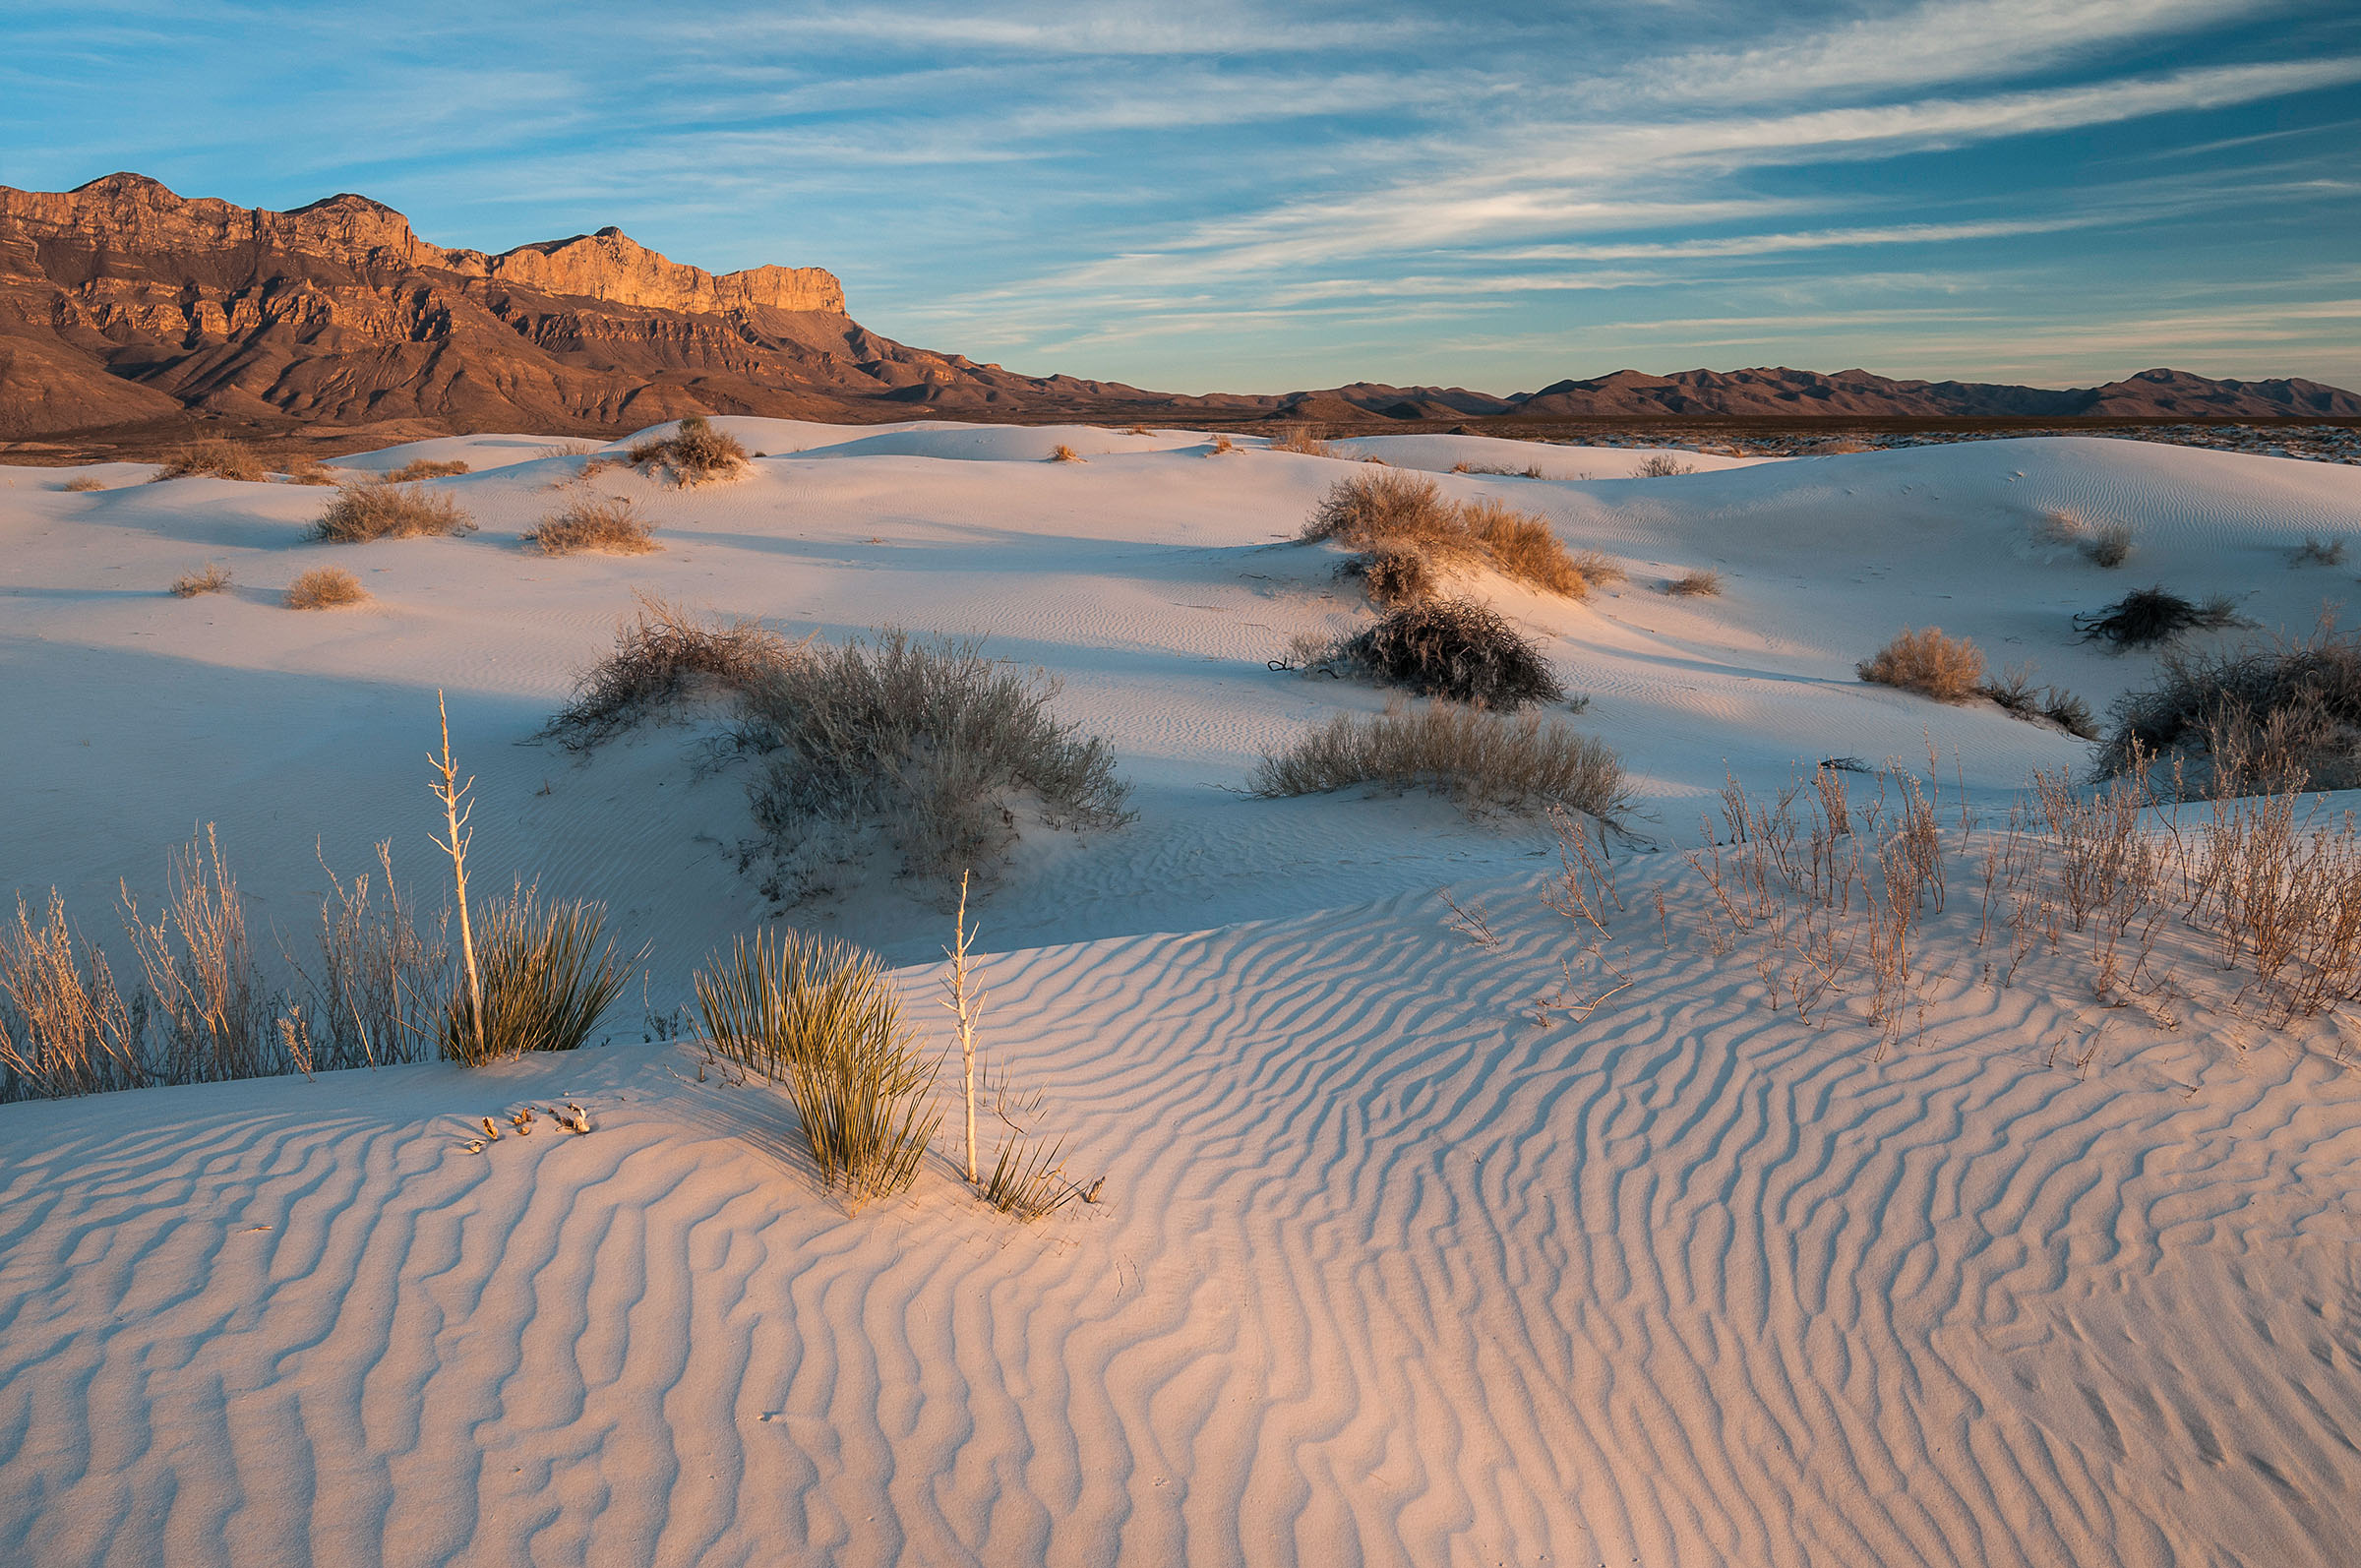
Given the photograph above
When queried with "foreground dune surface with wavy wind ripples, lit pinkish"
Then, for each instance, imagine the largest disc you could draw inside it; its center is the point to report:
(1387, 1274)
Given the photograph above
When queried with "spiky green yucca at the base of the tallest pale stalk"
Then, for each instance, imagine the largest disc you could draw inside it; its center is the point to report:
(547, 979)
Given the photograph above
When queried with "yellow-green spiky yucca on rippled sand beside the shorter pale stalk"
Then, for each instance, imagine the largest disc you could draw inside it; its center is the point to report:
(820, 1017)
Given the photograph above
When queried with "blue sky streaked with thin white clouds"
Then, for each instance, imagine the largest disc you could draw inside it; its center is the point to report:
(1267, 197)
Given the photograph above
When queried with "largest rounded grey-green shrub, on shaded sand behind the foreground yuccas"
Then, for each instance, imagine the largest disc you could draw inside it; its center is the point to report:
(929, 743)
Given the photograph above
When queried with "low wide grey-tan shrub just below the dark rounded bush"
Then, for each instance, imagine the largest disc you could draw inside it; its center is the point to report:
(1484, 762)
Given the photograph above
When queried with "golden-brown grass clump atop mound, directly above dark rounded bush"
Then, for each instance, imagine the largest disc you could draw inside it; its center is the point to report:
(1397, 516)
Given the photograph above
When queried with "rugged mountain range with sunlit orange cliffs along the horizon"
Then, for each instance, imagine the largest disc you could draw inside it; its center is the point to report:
(124, 303)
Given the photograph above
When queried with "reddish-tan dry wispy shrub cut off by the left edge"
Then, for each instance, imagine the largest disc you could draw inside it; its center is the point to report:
(65, 1026)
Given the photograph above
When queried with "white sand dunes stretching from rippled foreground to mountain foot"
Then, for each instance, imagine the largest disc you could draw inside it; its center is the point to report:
(1387, 1272)
